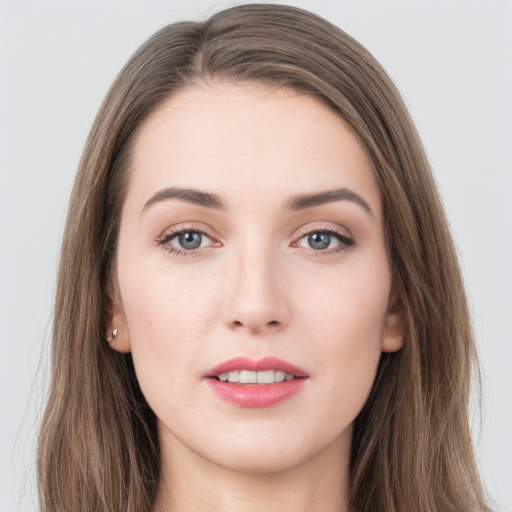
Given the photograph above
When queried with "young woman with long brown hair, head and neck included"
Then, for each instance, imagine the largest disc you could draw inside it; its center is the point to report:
(259, 303)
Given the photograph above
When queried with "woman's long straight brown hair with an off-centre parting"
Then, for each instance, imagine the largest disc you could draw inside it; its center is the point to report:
(412, 449)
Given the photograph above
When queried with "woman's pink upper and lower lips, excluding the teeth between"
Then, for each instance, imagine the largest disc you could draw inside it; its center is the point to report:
(256, 395)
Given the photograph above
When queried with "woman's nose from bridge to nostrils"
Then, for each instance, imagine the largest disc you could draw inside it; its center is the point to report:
(256, 300)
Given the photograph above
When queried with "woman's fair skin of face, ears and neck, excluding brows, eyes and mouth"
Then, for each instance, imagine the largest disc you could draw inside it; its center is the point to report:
(256, 287)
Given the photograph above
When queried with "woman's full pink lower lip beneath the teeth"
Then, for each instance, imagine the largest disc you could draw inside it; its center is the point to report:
(256, 395)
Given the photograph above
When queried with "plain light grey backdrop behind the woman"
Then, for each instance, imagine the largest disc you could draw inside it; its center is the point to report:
(450, 59)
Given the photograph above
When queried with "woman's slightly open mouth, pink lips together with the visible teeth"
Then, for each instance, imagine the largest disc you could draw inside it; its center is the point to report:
(248, 383)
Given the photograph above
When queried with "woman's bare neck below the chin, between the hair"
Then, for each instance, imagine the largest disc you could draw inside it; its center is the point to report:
(190, 483)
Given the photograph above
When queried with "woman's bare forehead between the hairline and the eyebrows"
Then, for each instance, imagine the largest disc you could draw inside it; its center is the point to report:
(229, 136)
